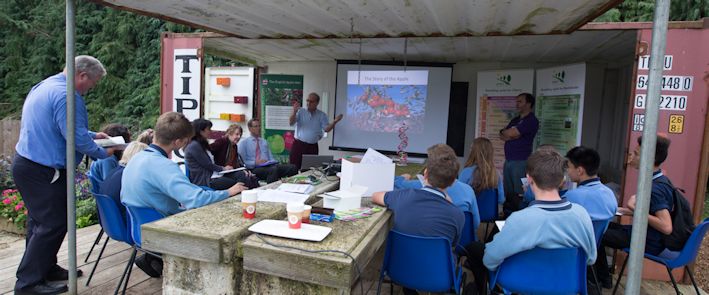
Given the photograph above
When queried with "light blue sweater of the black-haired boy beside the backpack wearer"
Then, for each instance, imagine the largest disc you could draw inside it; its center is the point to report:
(598, 200)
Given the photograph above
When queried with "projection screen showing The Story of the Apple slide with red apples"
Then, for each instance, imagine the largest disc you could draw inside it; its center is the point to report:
(381, 101)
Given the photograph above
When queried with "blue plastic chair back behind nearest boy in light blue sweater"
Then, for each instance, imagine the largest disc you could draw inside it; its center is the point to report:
(543, 271)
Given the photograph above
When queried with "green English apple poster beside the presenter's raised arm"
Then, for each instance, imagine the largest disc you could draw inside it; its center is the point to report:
(278, 92)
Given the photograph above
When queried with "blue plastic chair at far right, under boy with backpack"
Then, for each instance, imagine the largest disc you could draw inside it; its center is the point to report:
(675, 259)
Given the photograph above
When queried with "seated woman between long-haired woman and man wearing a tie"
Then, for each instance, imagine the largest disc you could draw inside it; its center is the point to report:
(226, 153)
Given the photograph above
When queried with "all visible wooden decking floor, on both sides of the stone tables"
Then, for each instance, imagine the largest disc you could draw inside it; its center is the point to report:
(116, 256)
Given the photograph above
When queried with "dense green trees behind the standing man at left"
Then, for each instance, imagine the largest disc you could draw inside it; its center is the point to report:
(32, 42)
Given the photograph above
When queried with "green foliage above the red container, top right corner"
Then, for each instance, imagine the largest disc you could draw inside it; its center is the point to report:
(642, 11)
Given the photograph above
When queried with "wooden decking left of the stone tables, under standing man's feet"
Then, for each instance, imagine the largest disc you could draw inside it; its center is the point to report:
(107, 274)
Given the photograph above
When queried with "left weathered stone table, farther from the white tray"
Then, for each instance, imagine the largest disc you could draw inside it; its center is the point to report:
(202, 248)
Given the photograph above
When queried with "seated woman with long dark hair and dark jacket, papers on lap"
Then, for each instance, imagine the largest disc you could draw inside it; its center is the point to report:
(200, 162)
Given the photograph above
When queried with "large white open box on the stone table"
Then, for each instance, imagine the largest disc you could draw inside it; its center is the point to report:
(376, 177)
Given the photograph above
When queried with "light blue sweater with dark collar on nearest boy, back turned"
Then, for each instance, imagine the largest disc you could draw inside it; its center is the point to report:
(544, 224)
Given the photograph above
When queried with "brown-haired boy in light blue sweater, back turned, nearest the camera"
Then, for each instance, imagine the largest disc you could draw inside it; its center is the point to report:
(549, 222)
